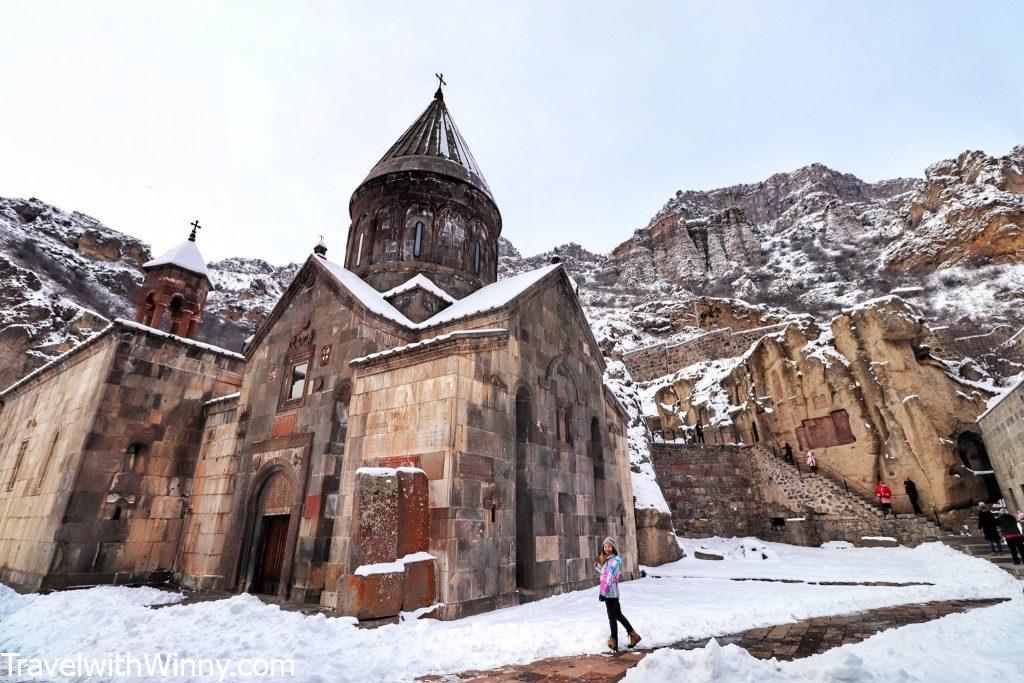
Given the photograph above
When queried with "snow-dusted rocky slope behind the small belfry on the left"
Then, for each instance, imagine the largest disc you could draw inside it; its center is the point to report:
(64, 276)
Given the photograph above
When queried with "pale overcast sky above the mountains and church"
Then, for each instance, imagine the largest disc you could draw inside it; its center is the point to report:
(261, 119)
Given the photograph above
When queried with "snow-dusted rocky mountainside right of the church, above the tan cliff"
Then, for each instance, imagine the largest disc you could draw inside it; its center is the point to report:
(815, 241)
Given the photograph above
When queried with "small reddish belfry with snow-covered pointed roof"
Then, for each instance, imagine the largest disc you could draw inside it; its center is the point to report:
(176, 286)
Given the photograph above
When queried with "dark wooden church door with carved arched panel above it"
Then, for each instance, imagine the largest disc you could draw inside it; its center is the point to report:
(274, 515)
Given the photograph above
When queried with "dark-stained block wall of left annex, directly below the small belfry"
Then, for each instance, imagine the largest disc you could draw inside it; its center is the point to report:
(125, 517)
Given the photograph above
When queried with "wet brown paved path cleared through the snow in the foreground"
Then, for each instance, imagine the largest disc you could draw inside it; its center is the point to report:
(786, 642)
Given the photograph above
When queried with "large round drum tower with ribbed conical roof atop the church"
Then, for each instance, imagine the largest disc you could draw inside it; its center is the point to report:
(425, 209)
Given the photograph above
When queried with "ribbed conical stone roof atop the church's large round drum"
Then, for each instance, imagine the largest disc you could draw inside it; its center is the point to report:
(433, 144)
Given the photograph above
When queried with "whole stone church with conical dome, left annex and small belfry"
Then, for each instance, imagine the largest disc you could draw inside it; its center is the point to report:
(404, 432)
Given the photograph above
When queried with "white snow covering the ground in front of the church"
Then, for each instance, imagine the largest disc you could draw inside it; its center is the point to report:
(692, 600)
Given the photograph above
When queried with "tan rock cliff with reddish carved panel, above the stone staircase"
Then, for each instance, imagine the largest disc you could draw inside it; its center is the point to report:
(863, 393)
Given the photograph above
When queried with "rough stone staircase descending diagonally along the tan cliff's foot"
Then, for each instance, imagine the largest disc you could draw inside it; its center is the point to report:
(828, 498)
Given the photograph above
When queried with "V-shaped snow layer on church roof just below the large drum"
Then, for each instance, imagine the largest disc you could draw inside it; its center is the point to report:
(487, 298)
